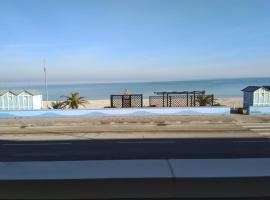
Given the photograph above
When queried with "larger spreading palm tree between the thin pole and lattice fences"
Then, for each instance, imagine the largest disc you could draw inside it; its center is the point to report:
(74, 100)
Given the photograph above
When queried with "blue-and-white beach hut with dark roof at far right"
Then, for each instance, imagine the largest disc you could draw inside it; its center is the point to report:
(256, 96)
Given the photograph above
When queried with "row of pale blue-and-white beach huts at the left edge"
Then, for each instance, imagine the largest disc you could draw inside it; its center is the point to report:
(20, 100)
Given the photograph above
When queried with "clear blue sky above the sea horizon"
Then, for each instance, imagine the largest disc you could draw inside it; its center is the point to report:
(134, 40)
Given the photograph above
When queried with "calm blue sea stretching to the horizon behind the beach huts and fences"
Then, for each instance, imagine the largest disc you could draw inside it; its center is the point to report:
(220, 88)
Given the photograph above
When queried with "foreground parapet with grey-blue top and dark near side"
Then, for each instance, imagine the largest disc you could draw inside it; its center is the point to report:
(137, 179)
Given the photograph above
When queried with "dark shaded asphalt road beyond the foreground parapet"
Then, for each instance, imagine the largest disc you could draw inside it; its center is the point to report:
(133, 149)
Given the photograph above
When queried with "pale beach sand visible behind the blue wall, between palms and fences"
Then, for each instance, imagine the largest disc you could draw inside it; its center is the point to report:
(231, 102)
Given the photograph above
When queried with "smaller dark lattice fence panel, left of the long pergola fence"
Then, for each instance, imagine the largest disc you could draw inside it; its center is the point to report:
(127, 101)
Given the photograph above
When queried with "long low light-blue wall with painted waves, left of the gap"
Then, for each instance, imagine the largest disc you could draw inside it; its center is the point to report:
(218, 110)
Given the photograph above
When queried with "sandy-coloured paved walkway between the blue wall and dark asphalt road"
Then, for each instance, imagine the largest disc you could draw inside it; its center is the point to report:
(234, 126)
